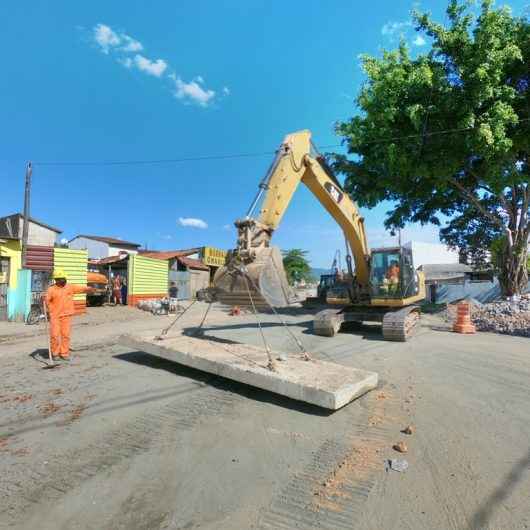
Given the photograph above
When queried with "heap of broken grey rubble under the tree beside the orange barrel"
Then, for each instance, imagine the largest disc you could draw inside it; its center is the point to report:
(508, 317)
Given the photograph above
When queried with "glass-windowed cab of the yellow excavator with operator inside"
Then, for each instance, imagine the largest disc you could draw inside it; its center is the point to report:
(392, 273)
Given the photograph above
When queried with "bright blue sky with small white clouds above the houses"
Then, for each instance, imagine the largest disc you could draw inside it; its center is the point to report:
(138, 80)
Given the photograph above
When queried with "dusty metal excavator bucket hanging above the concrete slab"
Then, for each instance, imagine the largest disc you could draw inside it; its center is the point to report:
(262, 282)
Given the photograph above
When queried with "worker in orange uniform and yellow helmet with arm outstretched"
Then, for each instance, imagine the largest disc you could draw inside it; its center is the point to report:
(60, 304)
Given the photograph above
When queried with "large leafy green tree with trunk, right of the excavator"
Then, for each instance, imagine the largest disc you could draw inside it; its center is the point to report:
(447, 133)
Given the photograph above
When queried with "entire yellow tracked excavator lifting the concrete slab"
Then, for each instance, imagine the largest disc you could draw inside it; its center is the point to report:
(384, 287)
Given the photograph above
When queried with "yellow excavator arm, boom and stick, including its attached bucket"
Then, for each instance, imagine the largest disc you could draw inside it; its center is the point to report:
(254, 273)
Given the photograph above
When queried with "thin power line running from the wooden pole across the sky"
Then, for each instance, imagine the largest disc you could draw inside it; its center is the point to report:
(241, 155)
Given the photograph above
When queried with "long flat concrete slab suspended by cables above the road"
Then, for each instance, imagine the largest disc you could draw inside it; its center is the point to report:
(327, 385)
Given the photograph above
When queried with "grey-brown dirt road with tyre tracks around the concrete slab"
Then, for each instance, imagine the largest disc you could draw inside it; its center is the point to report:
(121, 439)
